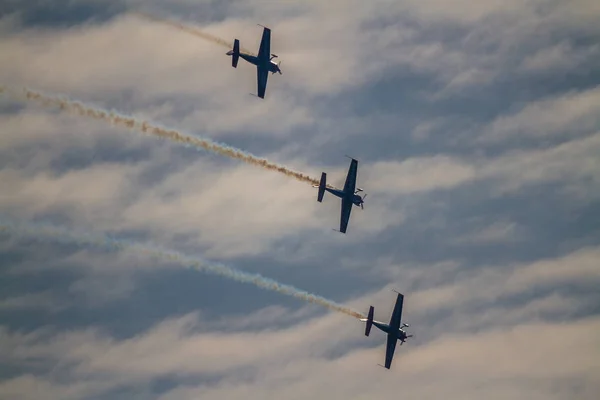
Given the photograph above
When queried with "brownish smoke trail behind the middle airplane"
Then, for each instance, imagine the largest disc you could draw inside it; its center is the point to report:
(124, 121)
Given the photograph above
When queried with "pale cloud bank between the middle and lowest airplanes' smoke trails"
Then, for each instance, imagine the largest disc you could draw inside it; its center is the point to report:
(227, 210)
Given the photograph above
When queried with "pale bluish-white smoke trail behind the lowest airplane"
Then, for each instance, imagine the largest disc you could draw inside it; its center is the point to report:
(82, 238)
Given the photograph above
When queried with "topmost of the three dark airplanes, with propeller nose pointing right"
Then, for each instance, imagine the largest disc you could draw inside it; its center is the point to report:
(263, 61)
